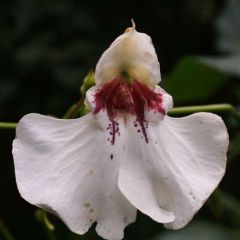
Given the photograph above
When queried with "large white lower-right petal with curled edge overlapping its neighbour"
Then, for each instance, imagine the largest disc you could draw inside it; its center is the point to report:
(177, 170)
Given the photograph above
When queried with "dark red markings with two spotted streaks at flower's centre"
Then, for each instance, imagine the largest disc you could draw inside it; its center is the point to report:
(118, 96)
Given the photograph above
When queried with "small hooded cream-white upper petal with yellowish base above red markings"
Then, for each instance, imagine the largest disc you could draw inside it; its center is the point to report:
(132, 52)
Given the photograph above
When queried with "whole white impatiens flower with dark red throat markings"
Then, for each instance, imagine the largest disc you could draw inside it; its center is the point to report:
(127, 154)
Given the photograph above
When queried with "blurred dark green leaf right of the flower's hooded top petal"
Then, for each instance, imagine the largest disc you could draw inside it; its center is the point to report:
(191, 80)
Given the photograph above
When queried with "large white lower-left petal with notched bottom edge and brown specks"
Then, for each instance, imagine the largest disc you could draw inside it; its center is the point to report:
(68, 168)
